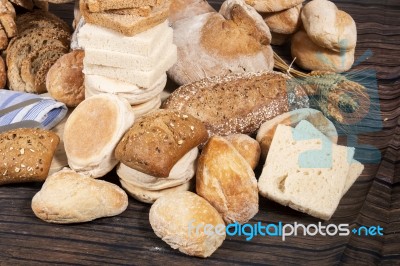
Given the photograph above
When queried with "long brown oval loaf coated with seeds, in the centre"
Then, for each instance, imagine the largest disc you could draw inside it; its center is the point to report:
(237, 103)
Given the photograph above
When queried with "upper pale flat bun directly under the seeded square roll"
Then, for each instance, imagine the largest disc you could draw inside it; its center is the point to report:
(180, 173)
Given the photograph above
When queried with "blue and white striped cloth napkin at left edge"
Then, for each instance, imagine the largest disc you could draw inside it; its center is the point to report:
(47, 111)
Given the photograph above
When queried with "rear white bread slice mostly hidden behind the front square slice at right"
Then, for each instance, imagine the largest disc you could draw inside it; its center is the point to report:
(355, 167)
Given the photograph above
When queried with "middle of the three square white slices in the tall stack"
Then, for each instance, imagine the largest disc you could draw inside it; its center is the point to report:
(127, 59)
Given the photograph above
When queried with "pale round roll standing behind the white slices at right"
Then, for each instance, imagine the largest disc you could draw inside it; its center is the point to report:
(267, 130)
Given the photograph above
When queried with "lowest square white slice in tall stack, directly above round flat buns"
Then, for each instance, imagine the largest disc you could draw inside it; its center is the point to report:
(141, 78)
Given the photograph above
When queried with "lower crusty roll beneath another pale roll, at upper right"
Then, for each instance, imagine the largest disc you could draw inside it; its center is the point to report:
(313, 57)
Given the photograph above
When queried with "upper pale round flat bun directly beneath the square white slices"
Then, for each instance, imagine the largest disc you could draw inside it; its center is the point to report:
(95, 84)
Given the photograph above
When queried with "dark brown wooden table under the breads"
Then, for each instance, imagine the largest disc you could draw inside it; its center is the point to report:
(373, 200)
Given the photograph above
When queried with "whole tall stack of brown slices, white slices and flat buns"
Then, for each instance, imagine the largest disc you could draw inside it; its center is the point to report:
(128, 49)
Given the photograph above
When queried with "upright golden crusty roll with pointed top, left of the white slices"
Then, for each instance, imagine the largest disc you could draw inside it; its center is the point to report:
(227, 181)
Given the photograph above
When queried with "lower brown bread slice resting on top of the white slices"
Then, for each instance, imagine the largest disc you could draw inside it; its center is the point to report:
(128, 25)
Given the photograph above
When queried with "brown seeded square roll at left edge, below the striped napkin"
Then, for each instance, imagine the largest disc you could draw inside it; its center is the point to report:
(26, 154)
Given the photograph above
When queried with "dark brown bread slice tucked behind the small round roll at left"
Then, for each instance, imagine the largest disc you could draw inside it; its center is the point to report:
(35, 66)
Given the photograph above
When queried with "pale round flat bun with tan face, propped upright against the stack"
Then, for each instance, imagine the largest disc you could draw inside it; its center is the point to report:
(92, 132)
